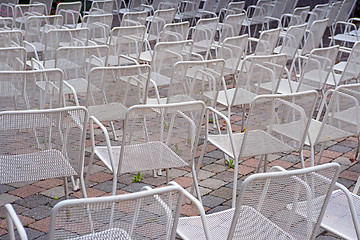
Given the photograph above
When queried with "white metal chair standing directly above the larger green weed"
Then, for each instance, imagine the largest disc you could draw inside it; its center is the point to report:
(153, 137)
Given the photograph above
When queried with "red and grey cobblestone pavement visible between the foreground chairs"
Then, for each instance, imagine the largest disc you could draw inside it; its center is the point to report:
(33, 201)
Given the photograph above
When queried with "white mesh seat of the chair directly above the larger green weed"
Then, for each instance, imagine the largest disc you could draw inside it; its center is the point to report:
(142, 157)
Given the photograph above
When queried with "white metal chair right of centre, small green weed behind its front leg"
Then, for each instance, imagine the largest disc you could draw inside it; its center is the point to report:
(275, 124)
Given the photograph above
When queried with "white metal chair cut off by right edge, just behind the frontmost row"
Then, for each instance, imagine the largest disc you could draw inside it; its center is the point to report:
(341, 118)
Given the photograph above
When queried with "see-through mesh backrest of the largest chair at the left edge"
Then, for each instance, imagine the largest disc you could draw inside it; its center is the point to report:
(41, 144)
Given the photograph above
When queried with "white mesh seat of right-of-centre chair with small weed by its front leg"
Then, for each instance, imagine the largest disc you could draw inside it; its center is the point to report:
(258, 143)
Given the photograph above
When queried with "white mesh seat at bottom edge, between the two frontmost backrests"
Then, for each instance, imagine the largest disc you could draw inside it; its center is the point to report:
(250, 224)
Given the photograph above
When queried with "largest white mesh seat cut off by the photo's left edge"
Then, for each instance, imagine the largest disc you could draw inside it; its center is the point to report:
(25, 167)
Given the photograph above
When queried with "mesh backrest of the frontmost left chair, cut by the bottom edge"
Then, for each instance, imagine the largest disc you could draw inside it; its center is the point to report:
(149, 217)
